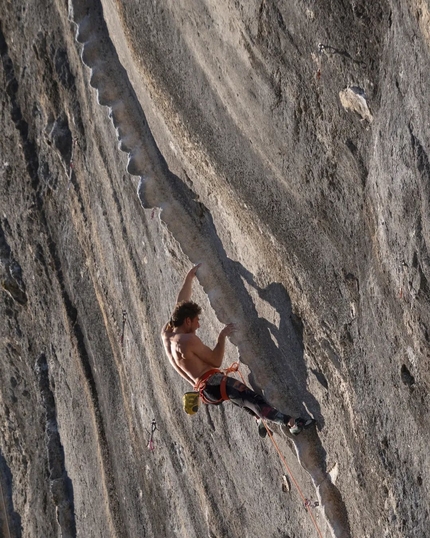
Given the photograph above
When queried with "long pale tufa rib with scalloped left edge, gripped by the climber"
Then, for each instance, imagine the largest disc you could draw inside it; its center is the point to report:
(188, 220)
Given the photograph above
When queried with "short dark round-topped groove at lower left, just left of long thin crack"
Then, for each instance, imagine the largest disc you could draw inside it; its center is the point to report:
(60, 484)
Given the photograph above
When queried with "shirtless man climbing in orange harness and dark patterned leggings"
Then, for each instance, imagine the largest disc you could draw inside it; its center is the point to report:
(199, 365)
